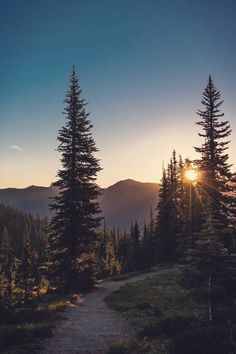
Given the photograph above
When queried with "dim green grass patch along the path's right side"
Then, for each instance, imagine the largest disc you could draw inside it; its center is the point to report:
(158, 308)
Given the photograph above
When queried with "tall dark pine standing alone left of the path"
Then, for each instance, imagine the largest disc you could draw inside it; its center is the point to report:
(73, 226)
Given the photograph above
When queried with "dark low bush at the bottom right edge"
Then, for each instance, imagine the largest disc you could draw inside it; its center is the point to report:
(202, 341)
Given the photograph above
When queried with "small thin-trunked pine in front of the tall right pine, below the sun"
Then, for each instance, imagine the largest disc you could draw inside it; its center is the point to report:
(208, 267)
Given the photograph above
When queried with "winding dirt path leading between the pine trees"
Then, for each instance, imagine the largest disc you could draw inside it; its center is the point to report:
(91, 326)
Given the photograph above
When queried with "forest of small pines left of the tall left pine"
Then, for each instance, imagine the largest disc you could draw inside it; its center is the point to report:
(23, 243)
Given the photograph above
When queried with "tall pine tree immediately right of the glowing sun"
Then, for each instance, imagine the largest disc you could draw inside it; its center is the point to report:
(213, 165)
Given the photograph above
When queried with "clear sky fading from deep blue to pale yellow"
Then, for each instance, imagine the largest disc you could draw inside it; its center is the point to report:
(142, 65)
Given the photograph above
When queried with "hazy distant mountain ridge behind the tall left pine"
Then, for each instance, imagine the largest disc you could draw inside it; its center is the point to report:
(121, 203)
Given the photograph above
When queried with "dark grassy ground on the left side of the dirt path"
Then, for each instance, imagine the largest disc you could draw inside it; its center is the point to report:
(21, 327)
